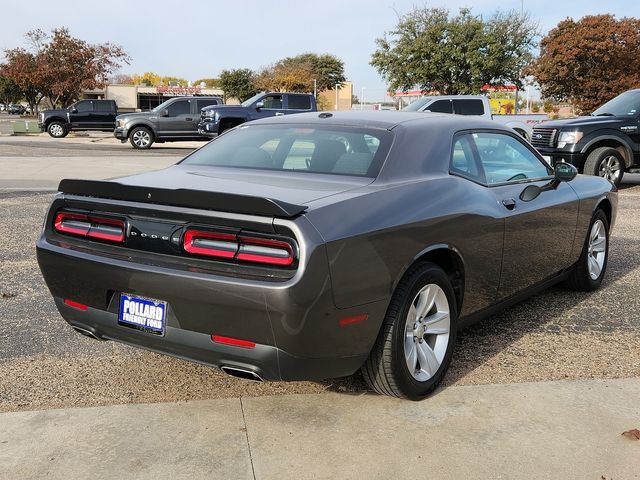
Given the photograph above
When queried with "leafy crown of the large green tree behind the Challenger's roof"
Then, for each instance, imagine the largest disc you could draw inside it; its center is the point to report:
(434, 51)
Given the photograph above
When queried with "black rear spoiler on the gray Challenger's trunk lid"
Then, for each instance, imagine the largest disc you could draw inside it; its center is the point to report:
(226, 202)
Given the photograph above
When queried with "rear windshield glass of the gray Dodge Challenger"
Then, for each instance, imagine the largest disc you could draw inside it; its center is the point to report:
(334, 149)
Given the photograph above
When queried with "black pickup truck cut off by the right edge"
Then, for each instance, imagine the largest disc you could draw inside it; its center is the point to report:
(606, 143)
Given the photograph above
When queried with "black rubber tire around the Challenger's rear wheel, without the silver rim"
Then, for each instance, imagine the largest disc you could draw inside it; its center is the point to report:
(386, 371)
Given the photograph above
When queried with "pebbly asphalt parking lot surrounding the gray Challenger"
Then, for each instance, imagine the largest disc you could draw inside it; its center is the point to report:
(43, 364)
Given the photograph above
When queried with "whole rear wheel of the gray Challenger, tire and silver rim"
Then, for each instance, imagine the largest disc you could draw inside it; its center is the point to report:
(413, 350)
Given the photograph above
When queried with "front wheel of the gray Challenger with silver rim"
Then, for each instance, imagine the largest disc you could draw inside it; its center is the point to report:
(592, 264)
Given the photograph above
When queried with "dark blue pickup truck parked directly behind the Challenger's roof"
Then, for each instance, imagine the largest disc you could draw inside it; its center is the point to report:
(216, 119)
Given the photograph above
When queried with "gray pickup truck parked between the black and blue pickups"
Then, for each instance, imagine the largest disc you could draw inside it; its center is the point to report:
(172, 121)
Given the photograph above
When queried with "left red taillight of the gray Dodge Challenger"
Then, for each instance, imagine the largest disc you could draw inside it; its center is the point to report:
(90, 226)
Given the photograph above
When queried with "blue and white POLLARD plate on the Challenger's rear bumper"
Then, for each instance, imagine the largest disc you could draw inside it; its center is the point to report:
(142, 313)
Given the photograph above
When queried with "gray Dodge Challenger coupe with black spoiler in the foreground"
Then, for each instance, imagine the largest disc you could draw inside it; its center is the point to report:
(313, 245)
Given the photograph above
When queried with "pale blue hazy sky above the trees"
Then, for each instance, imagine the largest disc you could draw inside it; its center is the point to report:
(198, 39)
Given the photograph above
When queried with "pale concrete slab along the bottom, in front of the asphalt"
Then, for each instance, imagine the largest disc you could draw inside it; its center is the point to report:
(559, 430)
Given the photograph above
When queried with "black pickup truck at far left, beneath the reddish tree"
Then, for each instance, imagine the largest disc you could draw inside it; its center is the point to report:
(97, 115)
